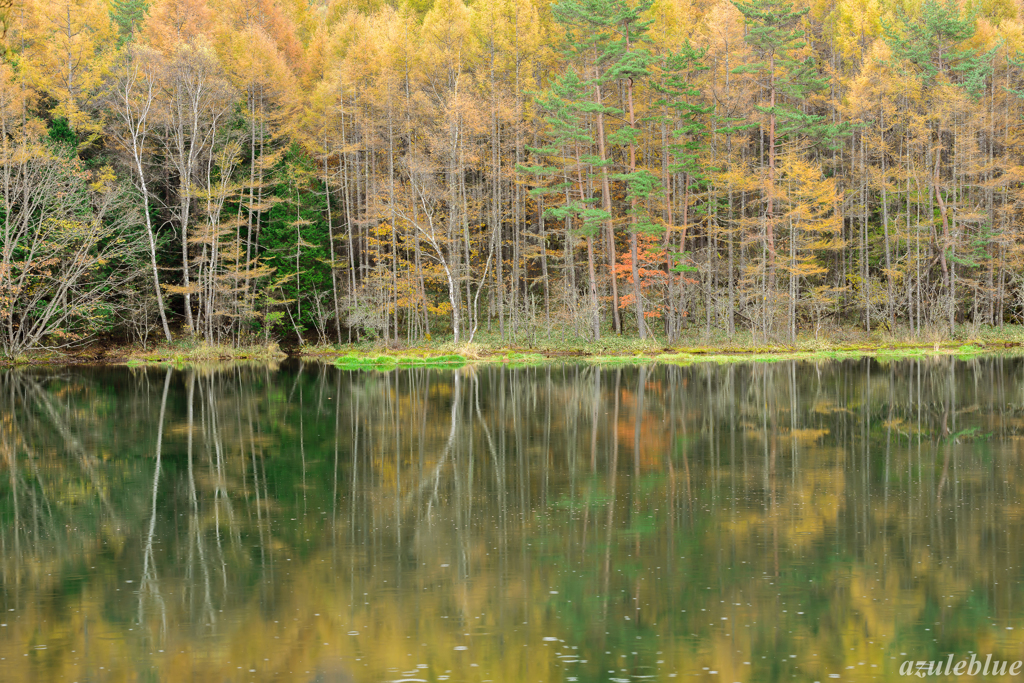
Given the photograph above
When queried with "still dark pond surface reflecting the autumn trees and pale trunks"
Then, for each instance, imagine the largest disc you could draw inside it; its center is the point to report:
(749, 523)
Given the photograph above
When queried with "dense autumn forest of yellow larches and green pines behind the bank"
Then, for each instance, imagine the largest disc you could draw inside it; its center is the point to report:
(239, 170)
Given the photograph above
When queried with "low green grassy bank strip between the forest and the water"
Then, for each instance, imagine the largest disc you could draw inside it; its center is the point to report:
(532, 351)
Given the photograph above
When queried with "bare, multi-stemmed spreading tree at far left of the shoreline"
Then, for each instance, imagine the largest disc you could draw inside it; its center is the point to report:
(66, 237)
